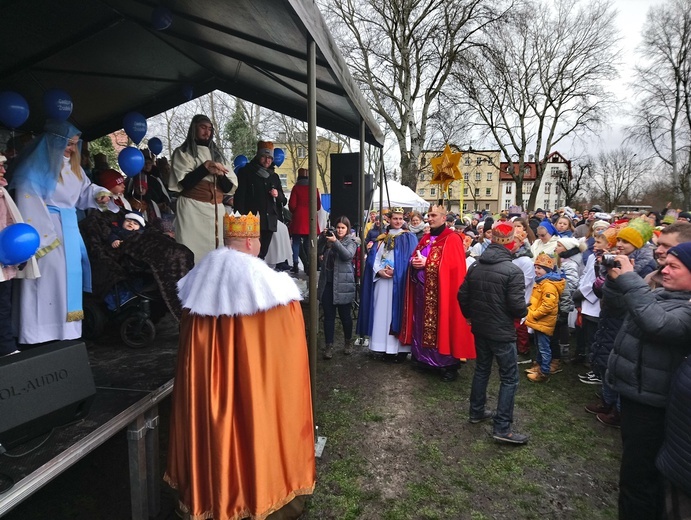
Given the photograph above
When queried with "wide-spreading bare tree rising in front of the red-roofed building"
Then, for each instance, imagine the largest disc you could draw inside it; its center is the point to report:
(539, 79)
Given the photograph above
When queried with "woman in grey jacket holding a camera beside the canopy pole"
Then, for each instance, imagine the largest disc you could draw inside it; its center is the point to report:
(336, 287)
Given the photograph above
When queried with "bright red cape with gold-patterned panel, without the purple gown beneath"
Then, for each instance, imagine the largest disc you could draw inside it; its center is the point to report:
(445, 328)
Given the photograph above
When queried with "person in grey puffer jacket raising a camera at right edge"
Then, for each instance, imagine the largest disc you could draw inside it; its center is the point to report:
(650, 347)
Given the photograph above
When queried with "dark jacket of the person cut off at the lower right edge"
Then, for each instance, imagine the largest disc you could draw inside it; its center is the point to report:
(674, 459)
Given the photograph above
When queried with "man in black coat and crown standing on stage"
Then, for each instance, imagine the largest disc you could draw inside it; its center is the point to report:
(260, 192)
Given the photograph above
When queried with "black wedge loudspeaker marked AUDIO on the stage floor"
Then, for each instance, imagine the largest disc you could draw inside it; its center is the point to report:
(42, 388)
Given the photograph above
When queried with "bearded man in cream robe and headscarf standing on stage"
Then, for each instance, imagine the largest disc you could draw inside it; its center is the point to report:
(201, 178)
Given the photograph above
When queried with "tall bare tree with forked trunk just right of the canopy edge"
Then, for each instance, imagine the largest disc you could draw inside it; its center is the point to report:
(402, 52)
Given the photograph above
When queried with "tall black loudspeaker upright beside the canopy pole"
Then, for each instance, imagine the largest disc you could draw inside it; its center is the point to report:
(345, 188)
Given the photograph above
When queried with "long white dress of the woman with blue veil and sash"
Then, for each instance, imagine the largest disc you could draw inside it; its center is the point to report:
(44, 314)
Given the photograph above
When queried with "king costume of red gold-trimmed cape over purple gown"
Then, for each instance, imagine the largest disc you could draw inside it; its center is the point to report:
(432, 321)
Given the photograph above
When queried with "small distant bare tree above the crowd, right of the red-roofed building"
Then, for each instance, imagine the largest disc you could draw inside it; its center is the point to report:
(617, 177)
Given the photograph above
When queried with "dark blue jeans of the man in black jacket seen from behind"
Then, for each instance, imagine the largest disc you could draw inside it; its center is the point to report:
(505, 352)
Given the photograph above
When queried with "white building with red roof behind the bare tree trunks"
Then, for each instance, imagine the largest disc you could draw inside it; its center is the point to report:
(550, 196)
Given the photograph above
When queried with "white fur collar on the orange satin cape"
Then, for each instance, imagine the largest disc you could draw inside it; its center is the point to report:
(230, 283)
